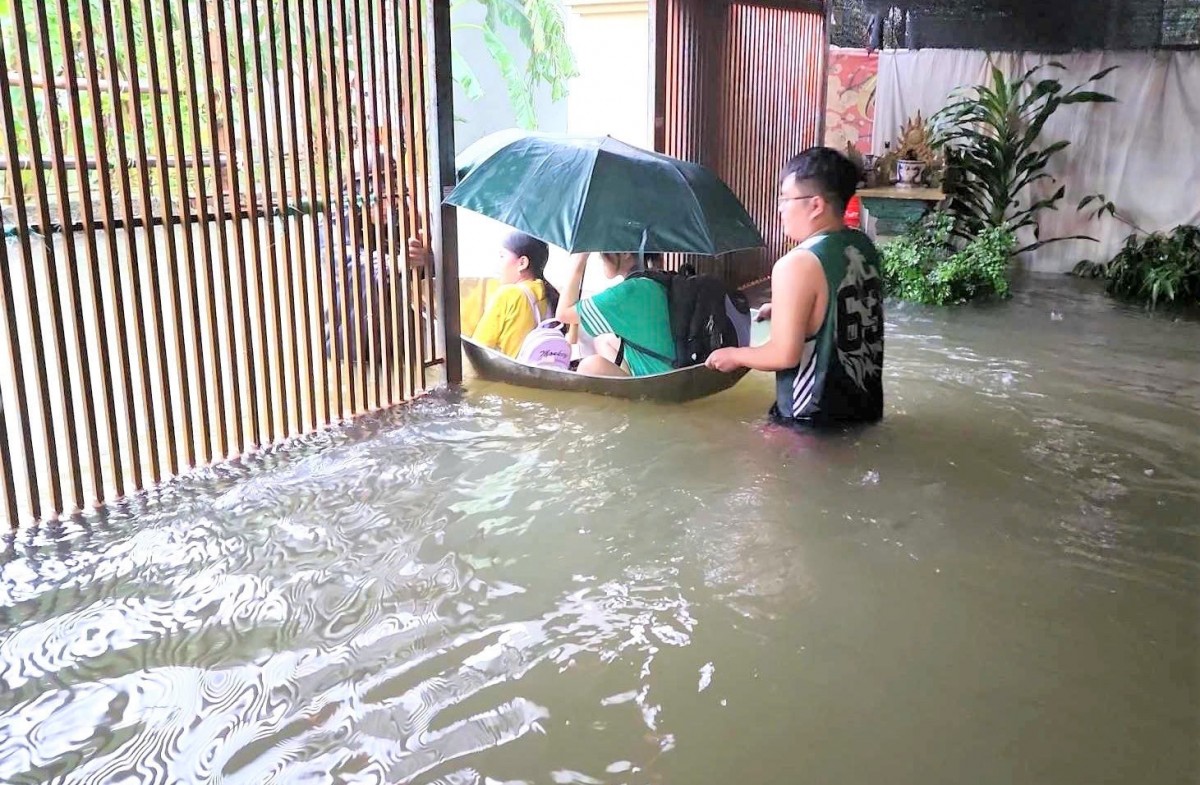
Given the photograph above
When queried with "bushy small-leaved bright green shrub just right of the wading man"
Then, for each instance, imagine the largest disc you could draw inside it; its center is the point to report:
(928, 266)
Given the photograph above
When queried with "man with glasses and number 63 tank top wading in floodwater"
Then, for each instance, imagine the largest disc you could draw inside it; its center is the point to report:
(826, 344)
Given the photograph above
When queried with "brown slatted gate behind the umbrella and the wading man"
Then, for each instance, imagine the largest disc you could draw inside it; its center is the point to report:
(741, 87)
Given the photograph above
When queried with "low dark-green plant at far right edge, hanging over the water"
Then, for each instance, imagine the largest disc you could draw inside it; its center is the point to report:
(1154, 269)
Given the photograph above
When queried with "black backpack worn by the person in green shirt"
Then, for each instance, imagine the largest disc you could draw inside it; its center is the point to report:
(700, 323)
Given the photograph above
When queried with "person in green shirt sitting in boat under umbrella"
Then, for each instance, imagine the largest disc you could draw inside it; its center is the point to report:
(634, 314)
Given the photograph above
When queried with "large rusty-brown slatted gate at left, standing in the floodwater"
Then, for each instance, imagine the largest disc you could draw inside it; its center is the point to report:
(207, 212)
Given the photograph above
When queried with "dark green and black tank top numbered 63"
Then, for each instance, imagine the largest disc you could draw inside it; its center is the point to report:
(841, 376)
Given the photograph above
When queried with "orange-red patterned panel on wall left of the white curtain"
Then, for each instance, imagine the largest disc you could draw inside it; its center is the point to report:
(850, 111)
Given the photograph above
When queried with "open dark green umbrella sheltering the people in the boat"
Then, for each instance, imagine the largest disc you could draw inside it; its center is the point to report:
(597, 194)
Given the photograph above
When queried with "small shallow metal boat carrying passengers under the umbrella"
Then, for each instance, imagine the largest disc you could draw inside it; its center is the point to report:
(674, 387)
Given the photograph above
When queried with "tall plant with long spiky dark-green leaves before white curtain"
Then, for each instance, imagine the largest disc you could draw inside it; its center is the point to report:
(994, 131)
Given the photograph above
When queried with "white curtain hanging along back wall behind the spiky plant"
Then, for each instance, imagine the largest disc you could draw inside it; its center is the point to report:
(1143, 152)
